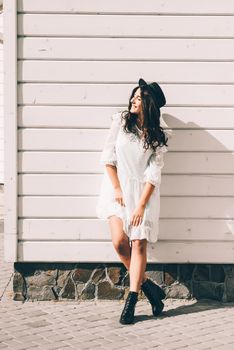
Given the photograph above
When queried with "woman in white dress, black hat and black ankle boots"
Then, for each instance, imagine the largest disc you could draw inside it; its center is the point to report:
(129, 196)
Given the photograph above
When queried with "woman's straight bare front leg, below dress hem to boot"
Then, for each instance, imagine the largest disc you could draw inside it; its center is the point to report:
(138, 264)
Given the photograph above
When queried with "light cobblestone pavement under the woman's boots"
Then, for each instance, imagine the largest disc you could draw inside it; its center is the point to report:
(183, 324)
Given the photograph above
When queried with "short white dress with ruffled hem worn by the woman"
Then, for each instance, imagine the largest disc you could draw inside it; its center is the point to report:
(135, 167)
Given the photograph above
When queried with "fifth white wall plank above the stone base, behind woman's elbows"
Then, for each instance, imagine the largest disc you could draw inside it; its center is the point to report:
(88, 162)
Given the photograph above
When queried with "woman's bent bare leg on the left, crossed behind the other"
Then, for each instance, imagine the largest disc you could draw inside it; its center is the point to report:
(120, 241)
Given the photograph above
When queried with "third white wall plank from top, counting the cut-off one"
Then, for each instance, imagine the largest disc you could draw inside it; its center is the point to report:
(125, 49)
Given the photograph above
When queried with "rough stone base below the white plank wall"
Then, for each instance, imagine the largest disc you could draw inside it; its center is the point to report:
(82, 281)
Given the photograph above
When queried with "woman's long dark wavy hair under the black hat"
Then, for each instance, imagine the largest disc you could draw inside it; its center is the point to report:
(153, 135)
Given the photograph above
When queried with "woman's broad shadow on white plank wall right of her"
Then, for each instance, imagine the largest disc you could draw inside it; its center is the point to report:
(197, 190)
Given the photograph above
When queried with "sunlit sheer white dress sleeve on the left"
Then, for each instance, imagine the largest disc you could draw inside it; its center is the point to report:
(108, 155)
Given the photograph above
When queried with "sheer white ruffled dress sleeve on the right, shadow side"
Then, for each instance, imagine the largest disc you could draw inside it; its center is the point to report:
(152, 173)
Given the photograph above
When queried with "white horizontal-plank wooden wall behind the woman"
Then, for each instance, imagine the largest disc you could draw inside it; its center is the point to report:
(77, 64)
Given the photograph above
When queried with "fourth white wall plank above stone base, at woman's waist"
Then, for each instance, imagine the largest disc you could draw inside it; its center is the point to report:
(89, 185)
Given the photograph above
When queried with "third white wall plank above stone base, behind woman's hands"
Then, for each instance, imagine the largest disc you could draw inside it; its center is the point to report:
(85, 207)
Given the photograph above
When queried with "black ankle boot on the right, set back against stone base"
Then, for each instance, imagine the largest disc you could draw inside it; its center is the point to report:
(155, 294)
